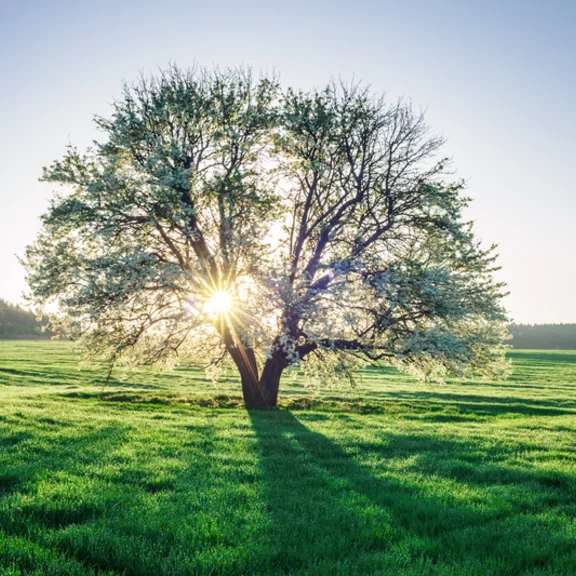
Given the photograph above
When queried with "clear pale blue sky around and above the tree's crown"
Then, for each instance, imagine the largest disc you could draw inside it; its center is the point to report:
(496, 78)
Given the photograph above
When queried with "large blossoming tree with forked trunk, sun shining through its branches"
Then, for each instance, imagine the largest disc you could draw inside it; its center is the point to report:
(224, 216)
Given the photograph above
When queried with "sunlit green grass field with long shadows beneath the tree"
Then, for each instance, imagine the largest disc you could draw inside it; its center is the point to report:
(164, 474)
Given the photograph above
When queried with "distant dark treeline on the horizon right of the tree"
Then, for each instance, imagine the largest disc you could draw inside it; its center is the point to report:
(543, 336)
